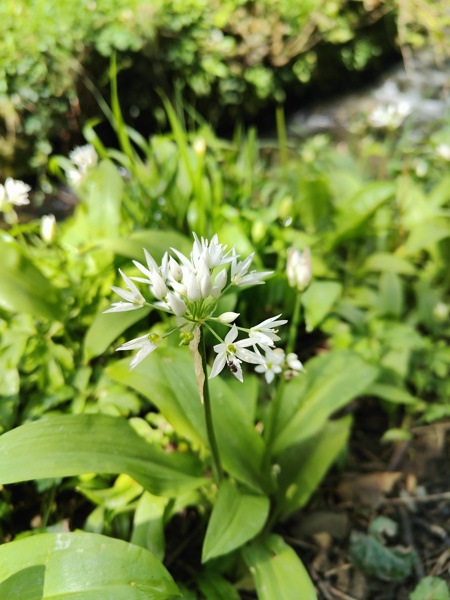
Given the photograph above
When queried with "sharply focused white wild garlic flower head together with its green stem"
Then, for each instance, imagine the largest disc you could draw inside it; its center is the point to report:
(190, 289)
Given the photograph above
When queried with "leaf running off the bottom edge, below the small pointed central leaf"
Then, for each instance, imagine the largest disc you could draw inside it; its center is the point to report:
(278, 571)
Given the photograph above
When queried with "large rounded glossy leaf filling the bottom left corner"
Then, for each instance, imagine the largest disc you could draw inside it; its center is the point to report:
(81, 566)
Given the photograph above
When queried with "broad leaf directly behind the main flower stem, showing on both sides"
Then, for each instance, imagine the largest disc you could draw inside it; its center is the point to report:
(167, 379)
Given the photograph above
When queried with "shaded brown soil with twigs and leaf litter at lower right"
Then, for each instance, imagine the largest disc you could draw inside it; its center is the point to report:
(408, 483)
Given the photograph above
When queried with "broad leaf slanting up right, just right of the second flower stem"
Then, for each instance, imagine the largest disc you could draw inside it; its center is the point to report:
(331, 381)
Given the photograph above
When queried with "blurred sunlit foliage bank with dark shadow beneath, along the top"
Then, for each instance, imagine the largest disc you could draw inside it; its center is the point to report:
(228, 59)
